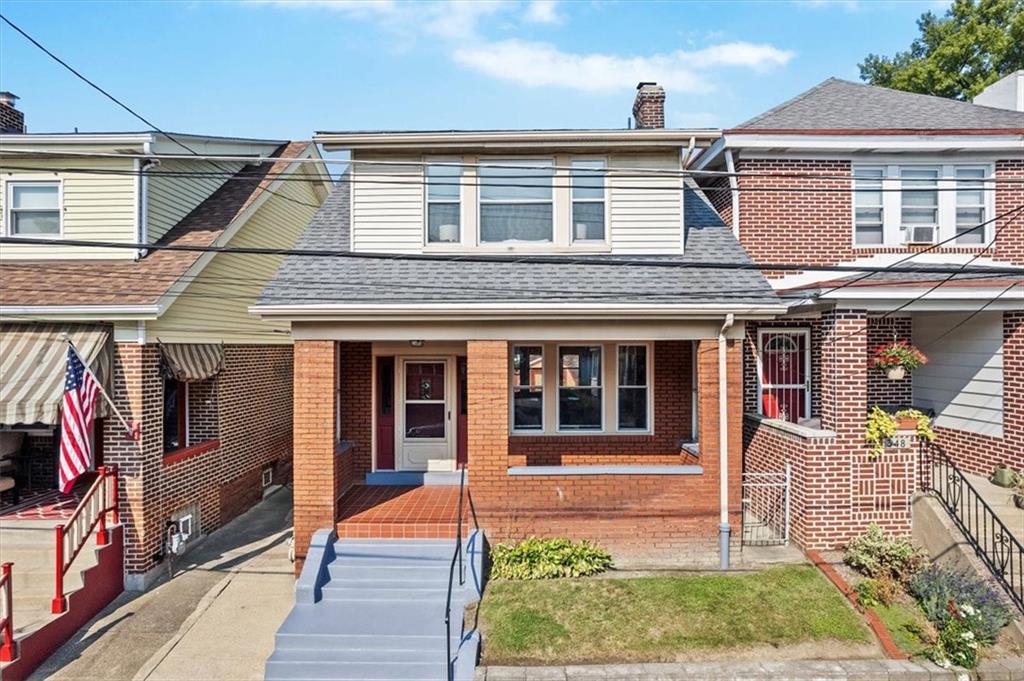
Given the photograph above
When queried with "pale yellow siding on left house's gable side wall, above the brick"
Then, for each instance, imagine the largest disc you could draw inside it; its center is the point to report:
(215, 307)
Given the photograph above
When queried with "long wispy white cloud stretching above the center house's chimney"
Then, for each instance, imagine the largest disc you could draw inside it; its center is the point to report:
(538, 65)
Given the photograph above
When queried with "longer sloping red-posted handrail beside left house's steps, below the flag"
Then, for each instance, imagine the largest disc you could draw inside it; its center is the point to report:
(101, 500)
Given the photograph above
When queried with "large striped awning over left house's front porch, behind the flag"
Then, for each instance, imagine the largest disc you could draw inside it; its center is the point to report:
(33, 360)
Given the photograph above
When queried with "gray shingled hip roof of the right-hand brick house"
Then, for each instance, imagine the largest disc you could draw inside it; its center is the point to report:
(841, 105)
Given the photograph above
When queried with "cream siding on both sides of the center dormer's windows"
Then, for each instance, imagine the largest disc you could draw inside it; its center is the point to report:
(389, 206)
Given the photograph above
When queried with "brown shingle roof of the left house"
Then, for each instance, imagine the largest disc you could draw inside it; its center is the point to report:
(144, 282)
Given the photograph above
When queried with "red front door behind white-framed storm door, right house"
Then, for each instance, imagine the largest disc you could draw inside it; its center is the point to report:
(785, 374)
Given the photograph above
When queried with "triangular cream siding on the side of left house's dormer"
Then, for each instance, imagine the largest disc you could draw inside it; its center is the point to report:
(172, 198)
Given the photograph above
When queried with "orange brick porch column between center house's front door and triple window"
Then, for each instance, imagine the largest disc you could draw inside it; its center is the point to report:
(488, 399)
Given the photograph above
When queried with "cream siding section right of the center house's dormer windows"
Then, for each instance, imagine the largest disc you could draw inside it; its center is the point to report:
(645, 220)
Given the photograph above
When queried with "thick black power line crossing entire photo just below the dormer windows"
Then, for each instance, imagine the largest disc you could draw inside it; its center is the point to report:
(671, 263)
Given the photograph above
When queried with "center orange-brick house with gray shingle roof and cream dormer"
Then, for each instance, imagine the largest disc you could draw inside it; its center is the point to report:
(583, 399)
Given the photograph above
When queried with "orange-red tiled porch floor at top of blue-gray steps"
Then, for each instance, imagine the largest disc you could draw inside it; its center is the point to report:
(399, 513)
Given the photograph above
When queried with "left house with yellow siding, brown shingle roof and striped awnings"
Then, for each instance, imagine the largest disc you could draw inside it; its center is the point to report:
(212, 437)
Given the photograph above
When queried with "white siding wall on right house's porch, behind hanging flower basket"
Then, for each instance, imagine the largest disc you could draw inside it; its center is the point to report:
(963, 381)
